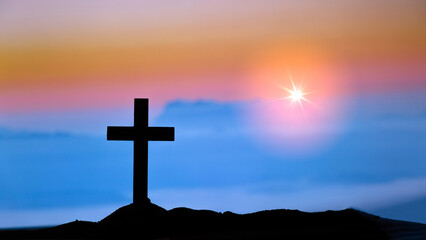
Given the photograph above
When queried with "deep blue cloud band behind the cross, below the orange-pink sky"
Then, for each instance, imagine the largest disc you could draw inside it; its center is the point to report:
(214, 149)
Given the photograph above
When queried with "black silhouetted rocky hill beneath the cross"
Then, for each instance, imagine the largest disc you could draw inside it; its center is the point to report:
(153, 222)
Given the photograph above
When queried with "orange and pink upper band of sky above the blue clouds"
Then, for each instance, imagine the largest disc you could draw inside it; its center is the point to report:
(73, 54)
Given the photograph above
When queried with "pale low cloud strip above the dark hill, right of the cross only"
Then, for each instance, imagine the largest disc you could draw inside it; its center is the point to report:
(310, 197)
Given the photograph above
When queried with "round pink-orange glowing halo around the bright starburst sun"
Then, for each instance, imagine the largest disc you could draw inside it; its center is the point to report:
(310, 85)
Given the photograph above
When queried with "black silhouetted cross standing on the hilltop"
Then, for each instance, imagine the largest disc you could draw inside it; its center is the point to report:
(140, 134)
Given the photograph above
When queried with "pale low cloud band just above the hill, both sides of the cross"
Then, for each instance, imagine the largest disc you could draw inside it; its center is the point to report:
(307, 197)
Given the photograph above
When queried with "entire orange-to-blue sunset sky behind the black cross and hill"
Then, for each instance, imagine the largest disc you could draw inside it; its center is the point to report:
(221, 73)
